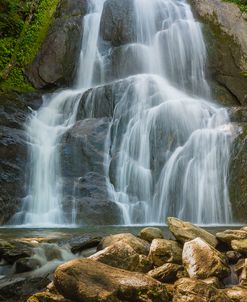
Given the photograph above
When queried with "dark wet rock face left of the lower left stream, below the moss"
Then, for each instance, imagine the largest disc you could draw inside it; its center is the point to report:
(13, 150)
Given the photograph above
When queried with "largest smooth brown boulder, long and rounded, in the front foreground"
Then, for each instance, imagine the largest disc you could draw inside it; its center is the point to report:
(92, 281)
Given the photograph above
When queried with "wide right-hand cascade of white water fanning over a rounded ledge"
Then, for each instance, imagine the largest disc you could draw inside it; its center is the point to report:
(170, 145)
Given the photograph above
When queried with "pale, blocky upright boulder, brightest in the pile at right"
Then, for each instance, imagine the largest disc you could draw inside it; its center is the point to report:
(203, 261)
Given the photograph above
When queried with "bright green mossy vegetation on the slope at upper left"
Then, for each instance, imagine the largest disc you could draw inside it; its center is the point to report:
(23, 27)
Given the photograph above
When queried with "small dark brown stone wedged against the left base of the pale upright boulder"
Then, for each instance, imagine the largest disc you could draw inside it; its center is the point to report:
(166, 273)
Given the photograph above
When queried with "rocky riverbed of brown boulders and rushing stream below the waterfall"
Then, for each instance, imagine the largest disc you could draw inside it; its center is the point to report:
(187, 264)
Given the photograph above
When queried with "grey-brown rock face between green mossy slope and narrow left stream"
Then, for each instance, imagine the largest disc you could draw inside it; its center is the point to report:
(55, 64)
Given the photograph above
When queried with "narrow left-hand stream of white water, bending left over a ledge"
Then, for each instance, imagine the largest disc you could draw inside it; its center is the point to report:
(42, 205)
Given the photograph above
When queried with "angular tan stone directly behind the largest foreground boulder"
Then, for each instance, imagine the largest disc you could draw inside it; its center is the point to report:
(122, 255)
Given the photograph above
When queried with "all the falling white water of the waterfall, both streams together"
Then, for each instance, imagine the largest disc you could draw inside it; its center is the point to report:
(169, 142)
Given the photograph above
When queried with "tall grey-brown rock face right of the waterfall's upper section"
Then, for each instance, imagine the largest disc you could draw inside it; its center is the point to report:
(227, 44)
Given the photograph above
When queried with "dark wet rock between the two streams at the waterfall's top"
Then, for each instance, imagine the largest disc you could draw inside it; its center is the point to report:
(118, 22)
